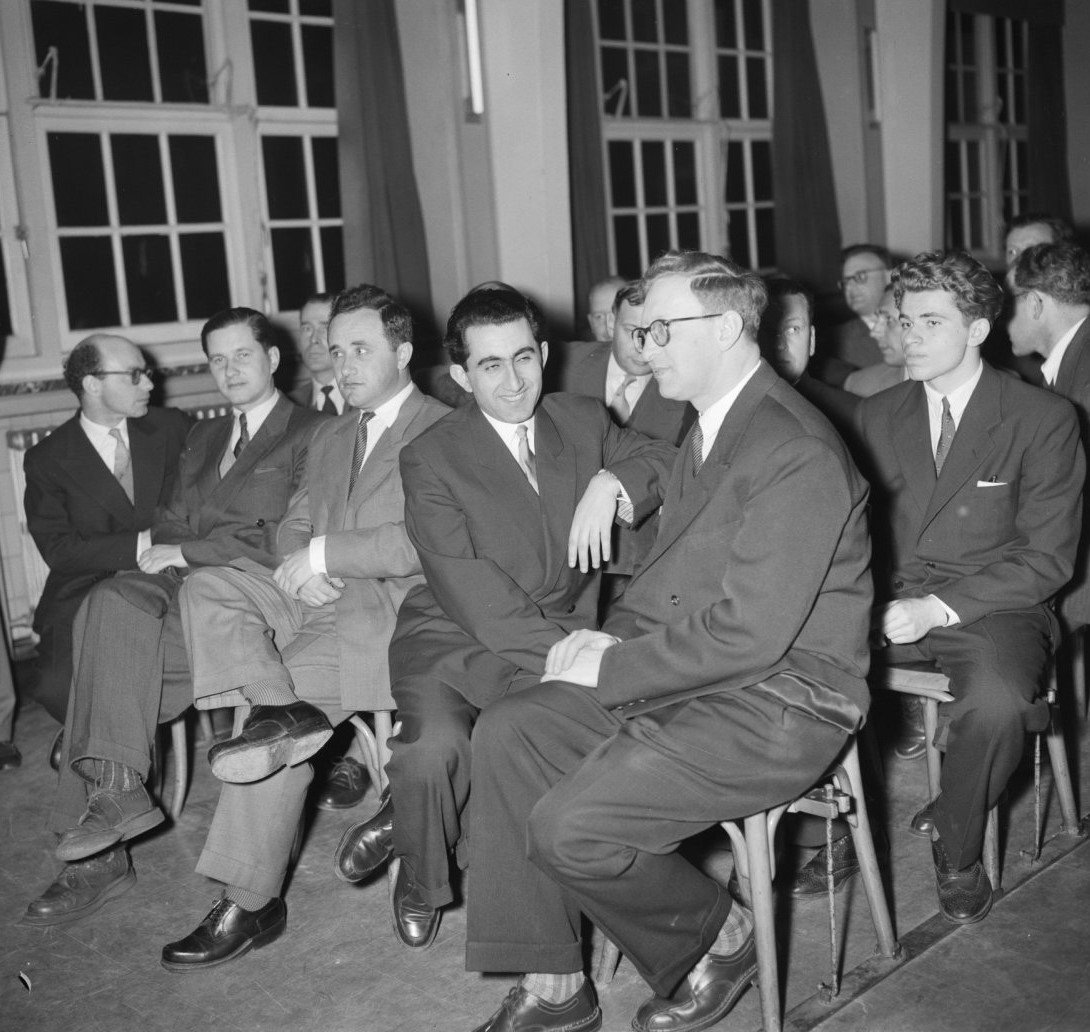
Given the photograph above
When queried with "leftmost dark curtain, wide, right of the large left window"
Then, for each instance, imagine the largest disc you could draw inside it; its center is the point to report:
(384, 226)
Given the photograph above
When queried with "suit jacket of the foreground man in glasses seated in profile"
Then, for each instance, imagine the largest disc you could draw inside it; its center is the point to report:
(761, 567)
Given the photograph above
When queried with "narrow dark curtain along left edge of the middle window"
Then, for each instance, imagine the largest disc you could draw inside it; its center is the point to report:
(590, 244)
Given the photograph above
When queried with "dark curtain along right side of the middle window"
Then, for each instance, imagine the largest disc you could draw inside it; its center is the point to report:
(808, 229)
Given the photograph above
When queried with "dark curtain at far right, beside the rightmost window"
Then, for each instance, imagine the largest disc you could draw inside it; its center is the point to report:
(1047, 117)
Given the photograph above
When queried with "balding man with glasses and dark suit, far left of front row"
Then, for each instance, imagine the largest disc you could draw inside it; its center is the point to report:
(92, 490)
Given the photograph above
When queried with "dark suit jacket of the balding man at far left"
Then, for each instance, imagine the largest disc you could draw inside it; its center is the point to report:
(80, 517)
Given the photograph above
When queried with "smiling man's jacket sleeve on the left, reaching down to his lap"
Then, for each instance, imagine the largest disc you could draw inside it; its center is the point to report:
(473, 590)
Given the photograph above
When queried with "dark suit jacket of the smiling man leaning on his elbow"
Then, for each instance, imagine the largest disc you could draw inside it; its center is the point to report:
(500, 592)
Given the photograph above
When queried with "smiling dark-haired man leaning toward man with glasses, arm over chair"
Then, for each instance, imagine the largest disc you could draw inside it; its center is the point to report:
(511, 503)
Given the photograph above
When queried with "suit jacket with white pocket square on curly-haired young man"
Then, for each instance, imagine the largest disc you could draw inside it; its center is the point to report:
(999, 529)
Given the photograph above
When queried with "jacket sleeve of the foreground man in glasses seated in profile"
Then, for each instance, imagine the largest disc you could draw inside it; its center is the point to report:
(774, 552)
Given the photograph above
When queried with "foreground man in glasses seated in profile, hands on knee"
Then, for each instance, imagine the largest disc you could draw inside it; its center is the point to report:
(725, 682)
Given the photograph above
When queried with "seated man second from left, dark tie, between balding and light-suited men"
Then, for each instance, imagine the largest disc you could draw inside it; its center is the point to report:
(235, 480)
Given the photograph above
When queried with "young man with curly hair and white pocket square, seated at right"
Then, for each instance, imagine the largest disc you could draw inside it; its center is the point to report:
(978, 482)
